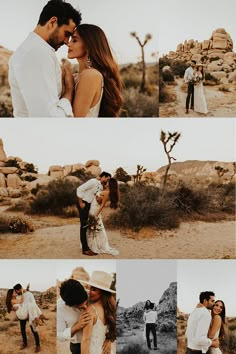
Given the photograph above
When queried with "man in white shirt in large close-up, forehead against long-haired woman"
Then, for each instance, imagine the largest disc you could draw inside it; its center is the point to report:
(35, 75)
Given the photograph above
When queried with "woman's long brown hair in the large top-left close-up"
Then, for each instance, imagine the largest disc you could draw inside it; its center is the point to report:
(102, 59)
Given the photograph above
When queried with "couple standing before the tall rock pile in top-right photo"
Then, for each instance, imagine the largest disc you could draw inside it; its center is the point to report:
(194, 77)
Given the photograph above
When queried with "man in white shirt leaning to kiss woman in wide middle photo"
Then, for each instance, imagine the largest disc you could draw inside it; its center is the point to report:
(85, 193)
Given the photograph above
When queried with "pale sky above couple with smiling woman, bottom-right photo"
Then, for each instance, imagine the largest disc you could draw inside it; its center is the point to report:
(195, 276)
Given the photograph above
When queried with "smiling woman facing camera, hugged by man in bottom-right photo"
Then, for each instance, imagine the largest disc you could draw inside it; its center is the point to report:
(216, 329)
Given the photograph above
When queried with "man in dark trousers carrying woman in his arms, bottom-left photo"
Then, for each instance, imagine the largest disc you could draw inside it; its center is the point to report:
(28, 297)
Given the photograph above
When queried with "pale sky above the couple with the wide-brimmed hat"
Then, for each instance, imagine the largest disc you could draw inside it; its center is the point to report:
(64, 268)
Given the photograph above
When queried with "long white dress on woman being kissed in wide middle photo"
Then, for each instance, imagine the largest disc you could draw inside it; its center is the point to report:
(97, 239)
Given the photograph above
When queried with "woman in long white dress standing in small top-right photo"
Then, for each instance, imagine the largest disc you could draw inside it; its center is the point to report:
(200, 104)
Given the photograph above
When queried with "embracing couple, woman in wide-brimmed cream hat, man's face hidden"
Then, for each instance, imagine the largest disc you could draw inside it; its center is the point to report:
(88, 321)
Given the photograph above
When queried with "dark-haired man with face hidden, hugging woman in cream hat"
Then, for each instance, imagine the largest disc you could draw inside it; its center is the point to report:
(73, 316)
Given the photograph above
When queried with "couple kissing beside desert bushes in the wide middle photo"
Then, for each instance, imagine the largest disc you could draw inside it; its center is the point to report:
(92, 197)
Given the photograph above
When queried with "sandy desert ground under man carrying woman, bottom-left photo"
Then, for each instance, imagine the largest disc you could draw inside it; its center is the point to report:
(10, 336)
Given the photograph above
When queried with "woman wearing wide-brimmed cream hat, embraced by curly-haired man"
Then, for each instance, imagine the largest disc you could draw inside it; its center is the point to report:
(103, 310)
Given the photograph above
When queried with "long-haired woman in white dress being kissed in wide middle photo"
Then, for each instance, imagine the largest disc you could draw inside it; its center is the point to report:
(96, 235)
